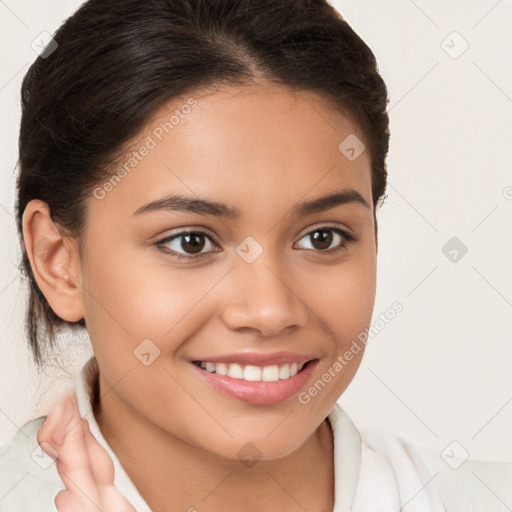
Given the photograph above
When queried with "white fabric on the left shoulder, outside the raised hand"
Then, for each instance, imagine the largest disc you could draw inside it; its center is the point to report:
(29, 480)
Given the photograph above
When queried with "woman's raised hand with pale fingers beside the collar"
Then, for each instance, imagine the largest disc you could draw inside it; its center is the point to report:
(84, 466)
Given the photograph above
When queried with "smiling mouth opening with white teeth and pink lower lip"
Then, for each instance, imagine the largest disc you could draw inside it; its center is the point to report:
(262, 385)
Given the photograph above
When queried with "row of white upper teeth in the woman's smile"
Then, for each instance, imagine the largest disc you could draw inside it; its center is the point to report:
(253, 373)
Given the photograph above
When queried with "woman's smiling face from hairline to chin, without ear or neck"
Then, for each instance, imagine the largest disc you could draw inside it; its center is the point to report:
(275, 271)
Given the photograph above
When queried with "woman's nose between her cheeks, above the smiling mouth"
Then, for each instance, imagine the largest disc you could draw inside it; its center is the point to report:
(264, 300)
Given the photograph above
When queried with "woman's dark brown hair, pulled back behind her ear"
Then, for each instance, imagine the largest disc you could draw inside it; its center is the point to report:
(118, 61)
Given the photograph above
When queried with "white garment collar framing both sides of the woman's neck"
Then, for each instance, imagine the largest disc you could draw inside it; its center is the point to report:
(347, 447)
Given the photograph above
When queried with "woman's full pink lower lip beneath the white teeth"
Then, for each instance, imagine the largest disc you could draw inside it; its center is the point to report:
(261, 393)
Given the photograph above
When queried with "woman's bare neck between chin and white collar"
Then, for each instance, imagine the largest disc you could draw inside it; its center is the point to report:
(171, 474)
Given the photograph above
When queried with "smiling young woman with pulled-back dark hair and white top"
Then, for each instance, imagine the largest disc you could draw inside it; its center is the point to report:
(198, 188)
